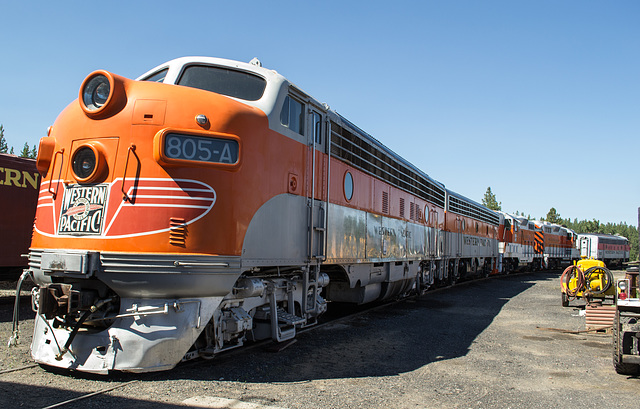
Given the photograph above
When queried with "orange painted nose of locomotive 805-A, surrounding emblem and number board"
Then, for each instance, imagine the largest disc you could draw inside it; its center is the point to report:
(239, 190)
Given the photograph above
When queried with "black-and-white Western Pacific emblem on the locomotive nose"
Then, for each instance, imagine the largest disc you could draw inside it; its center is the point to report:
(83, 209)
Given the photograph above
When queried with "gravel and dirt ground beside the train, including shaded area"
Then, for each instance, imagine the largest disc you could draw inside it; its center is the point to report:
(497, 343)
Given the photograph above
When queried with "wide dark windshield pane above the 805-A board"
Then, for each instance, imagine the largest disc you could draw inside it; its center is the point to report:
(225, 81)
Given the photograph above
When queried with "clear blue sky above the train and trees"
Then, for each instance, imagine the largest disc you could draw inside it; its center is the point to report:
(540, 100)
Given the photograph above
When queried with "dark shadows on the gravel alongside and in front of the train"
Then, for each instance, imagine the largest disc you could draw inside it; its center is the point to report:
(393, 340)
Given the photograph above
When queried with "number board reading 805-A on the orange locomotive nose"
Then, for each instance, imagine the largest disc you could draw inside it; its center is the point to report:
(202, 149)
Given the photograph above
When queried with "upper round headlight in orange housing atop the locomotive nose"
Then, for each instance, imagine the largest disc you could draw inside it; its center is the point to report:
(102, 94)
